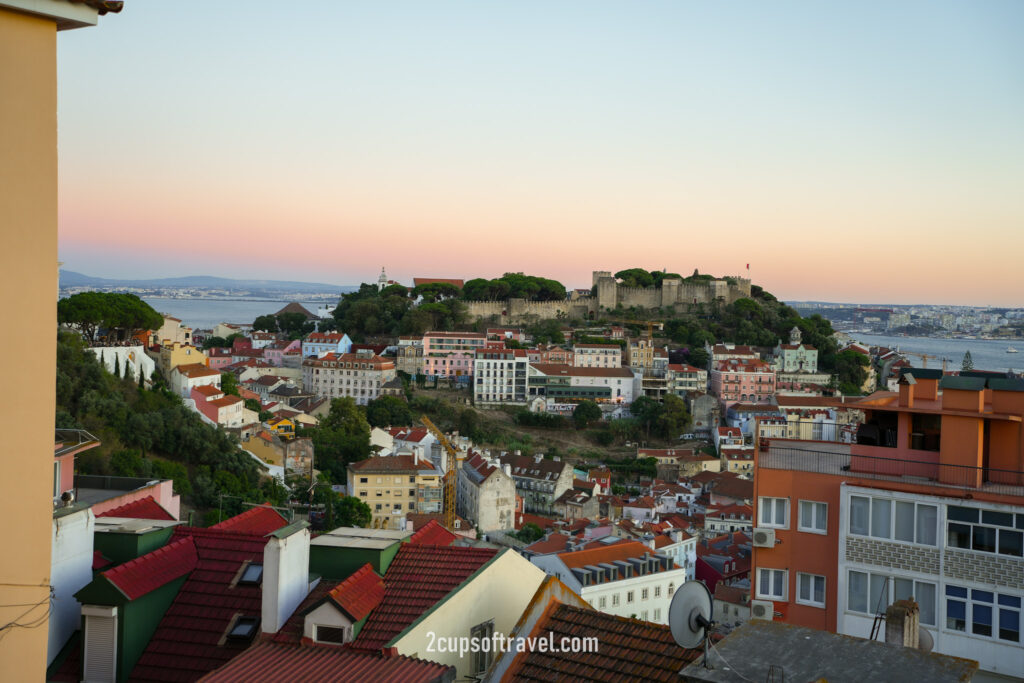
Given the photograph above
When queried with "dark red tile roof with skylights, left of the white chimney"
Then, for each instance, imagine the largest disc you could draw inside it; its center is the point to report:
(187, 644)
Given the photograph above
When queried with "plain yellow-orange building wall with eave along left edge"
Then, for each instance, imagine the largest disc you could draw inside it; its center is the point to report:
(29, 270)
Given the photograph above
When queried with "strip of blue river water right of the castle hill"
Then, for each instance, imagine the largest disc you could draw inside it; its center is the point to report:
(987, 354)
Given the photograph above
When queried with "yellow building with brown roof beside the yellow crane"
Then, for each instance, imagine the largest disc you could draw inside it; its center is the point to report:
(396, 486)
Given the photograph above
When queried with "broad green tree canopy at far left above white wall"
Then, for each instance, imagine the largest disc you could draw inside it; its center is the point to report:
(122, 316)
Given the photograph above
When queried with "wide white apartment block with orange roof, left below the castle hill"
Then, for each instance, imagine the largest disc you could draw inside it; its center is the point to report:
(359, 375)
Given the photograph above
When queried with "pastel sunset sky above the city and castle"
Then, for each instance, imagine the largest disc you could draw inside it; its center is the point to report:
(868, 152)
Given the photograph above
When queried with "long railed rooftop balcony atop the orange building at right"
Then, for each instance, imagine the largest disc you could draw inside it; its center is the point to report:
(869, 462)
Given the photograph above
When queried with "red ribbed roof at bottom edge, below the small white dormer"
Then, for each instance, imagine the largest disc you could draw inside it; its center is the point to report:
(274, 662)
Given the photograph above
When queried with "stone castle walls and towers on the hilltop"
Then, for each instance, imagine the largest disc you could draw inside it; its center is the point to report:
(609, 294)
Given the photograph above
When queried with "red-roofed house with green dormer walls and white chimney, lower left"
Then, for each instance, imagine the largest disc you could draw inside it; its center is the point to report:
(186, 609)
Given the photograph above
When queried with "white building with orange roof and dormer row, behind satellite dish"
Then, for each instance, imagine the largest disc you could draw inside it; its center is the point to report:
(622, 579)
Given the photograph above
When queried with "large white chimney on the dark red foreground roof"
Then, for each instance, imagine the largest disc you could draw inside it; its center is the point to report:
(286, 574)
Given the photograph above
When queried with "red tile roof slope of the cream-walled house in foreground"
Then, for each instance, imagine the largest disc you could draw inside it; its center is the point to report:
(416, 581)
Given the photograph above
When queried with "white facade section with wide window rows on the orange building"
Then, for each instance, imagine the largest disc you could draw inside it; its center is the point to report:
(960, 560)
